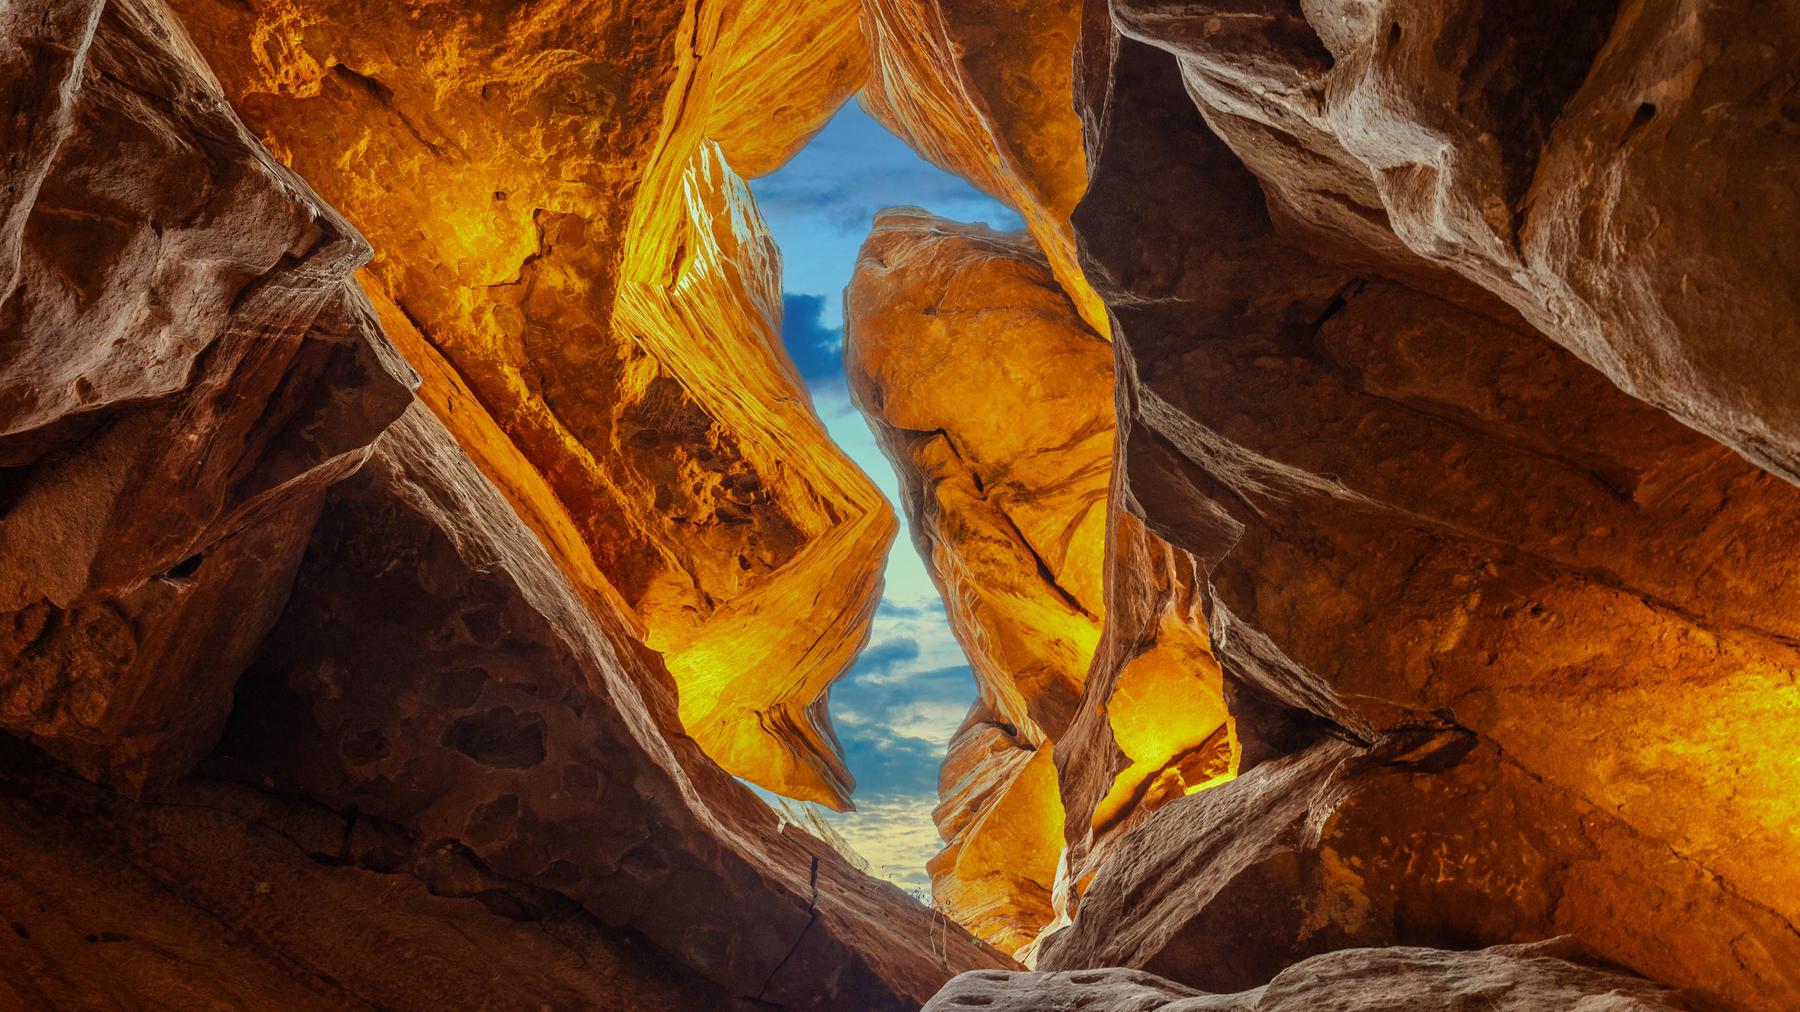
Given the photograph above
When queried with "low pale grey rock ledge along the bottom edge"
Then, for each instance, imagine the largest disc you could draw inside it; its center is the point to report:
(1504, 979)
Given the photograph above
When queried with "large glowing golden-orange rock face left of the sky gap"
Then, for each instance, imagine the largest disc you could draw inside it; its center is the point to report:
(562, 239)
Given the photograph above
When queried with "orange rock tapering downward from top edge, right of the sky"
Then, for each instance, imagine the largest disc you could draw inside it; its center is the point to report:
(982, 89)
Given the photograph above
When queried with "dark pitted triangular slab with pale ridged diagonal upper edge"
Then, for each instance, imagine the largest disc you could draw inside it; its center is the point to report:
(438, 671)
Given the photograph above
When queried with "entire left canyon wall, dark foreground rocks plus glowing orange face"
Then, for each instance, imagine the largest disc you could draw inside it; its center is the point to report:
(413, 673)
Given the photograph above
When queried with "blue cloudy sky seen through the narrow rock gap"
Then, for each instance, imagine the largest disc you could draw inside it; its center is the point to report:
(901, 703)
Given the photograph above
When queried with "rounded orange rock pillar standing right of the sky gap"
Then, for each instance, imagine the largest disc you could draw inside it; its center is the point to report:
(994, 402)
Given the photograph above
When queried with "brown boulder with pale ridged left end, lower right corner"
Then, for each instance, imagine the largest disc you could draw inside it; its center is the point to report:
(1426, 838)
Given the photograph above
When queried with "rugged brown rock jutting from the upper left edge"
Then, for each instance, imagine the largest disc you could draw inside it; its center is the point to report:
(184, 366)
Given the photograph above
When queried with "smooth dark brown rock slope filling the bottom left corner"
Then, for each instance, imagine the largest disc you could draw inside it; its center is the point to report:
(222, 896)
